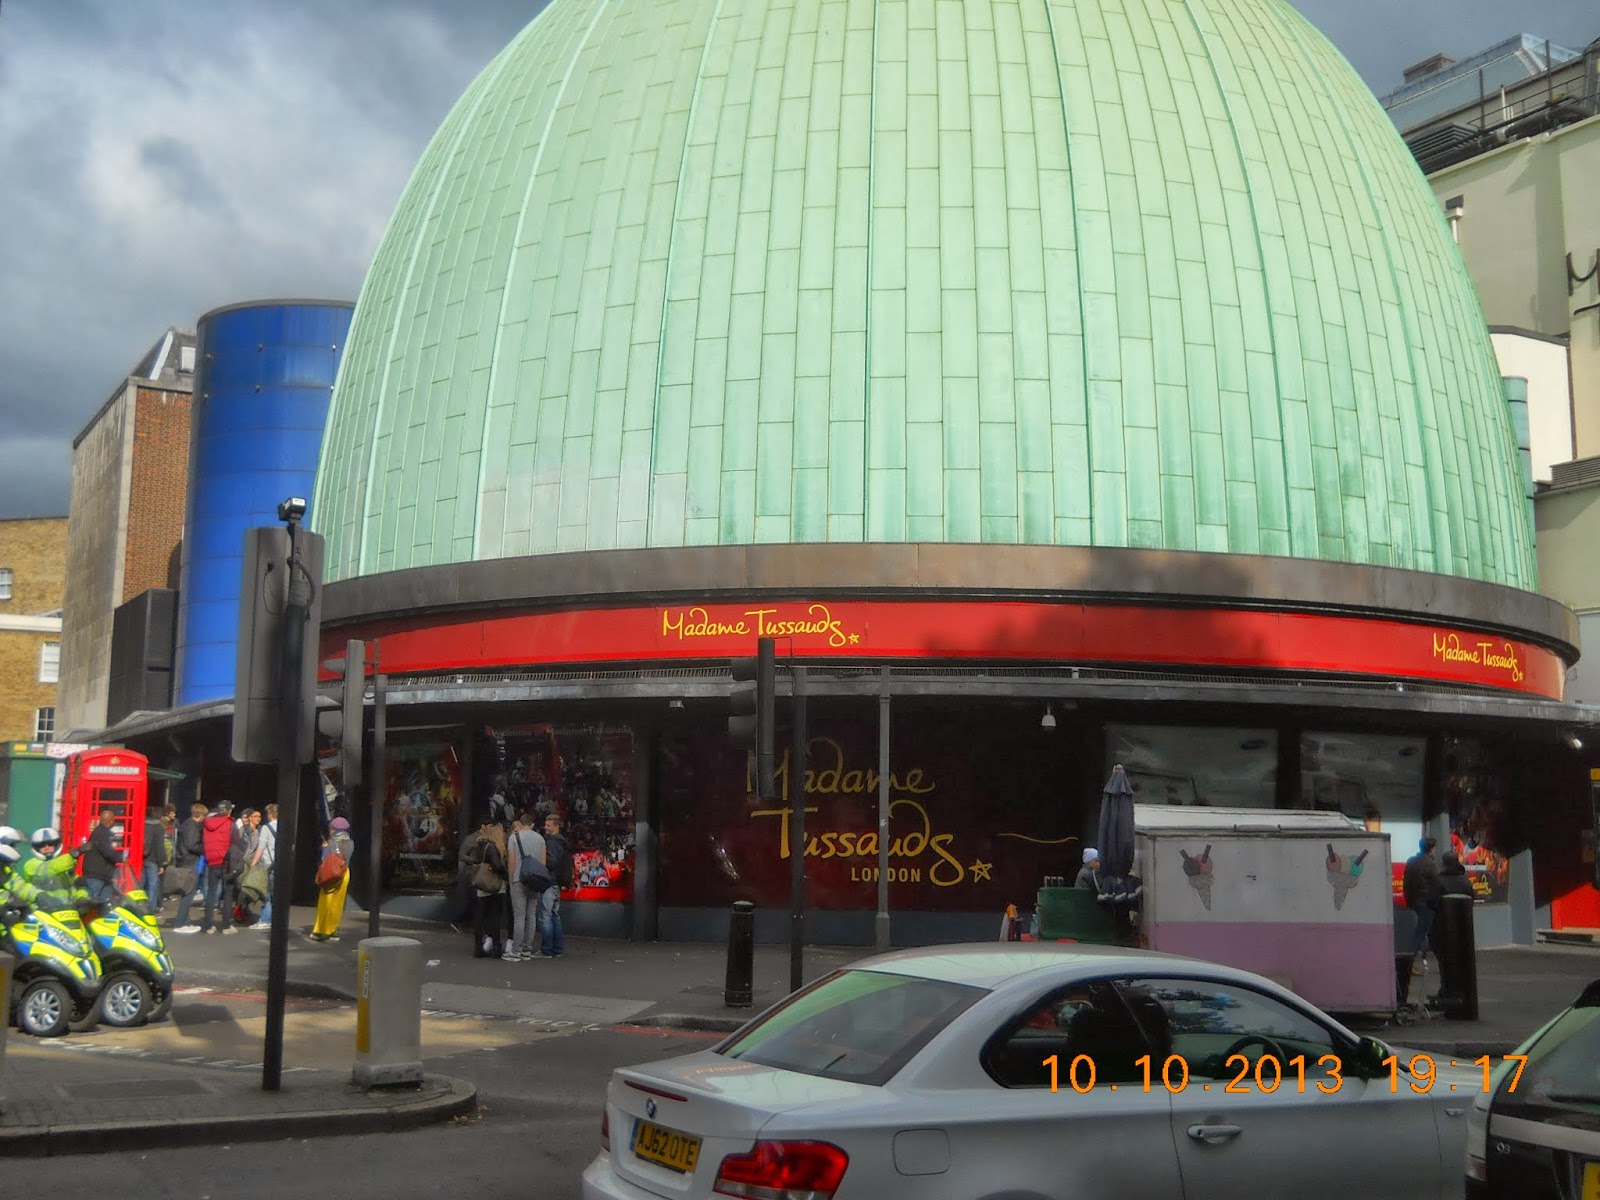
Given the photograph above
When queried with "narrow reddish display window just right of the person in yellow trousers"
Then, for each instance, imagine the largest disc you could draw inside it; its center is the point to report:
(422, 820)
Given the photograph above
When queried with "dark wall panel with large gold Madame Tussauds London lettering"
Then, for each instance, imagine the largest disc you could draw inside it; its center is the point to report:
(980, 815)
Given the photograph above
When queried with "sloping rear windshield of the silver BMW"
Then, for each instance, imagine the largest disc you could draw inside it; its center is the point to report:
(858, 1026)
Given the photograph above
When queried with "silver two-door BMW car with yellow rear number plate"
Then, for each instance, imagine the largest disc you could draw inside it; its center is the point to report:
(1031, 1073)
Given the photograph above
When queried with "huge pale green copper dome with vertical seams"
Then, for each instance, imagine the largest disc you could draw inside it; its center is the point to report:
(1095, 273)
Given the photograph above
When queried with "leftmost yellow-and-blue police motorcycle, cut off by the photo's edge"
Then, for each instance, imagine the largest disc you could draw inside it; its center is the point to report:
(57, 983)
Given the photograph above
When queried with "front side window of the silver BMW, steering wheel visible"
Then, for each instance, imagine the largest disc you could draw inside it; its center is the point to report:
(1223, 1033)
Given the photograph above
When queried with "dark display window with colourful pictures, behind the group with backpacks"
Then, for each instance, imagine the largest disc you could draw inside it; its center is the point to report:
(586, 777)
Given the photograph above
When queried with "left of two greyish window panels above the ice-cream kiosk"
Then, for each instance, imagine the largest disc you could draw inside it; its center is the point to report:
(1204, 767)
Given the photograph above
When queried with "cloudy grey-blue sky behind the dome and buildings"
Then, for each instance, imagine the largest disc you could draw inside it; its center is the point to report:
(162, 158)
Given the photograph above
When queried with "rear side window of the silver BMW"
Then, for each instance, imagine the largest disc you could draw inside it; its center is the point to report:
(1086, 1020)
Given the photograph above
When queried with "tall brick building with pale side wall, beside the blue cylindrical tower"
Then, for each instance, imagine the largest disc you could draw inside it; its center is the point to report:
(130, 470)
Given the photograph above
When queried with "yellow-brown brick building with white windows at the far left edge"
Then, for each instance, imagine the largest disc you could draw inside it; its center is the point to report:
(33, 578)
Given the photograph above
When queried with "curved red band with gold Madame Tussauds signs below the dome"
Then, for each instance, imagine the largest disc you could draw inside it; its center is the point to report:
(974, 630)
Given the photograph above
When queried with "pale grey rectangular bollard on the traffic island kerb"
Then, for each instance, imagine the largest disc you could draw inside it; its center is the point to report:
(388, 1012)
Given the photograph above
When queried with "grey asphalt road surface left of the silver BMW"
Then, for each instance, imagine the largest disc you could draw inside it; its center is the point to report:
(540, 1095)
